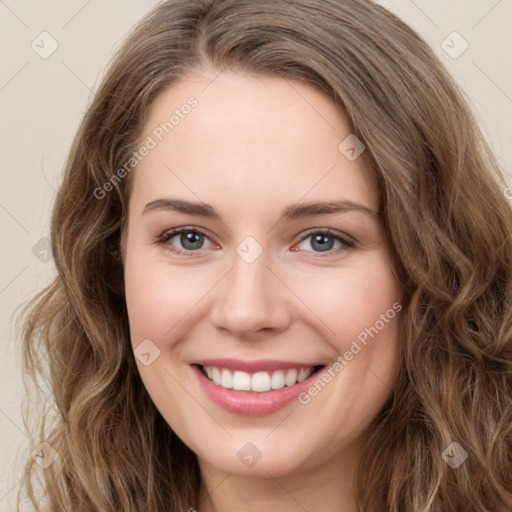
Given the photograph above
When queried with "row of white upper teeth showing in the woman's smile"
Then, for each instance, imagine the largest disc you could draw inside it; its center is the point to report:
(259, 382)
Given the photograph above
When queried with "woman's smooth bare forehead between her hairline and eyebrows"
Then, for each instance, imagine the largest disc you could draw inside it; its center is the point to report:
(243, 136)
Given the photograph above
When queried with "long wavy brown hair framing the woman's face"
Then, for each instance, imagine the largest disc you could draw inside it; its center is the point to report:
(446, 220)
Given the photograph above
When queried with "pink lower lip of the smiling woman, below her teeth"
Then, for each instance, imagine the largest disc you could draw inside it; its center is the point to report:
(252, 404)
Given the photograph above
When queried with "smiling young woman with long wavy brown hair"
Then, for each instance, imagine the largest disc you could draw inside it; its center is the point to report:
(284, 282)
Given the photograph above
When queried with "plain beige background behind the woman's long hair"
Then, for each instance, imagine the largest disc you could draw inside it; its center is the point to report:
(43, 99)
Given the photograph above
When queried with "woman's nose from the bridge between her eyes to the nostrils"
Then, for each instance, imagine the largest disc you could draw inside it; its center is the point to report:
(251, 297)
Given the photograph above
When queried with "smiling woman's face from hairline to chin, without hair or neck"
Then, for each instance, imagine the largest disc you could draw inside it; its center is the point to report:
(281, 269)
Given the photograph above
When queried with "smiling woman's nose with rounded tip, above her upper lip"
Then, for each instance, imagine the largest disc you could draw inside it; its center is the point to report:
(252, 301)
